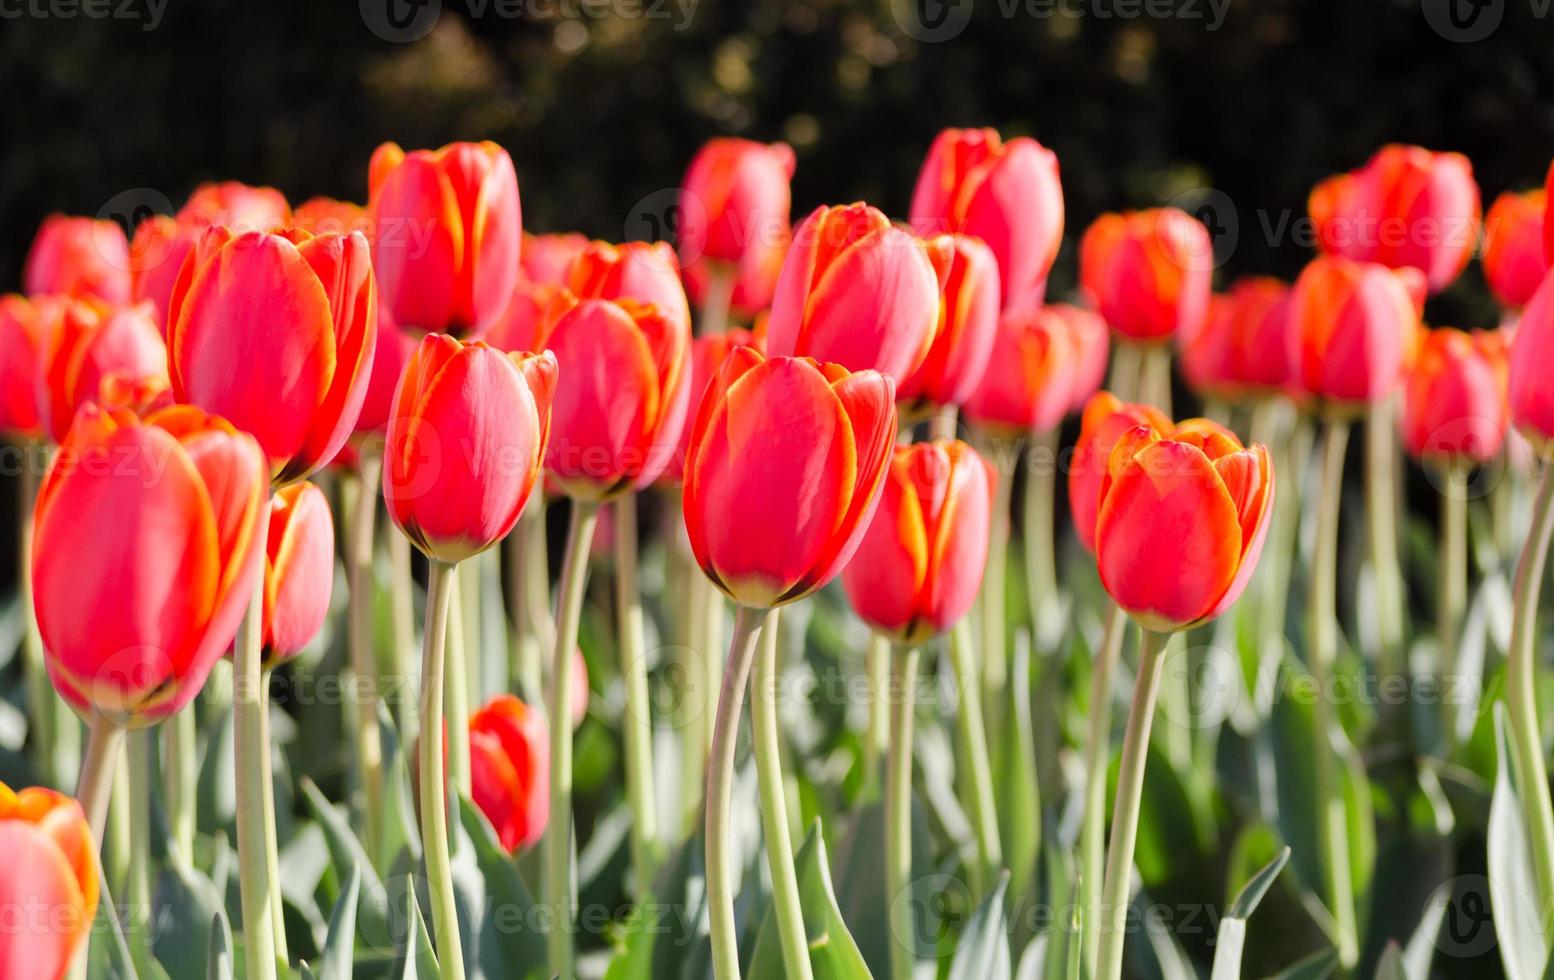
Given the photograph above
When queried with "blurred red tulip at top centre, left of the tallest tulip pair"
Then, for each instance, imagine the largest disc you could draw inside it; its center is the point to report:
(734, 207)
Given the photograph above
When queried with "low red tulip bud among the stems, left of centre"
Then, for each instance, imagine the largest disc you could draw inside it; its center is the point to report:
(510, 771)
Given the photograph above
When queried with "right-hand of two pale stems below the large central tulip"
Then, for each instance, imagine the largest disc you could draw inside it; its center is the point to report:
(765, 703)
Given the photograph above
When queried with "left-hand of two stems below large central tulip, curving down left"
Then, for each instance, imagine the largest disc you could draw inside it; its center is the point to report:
(722, 883)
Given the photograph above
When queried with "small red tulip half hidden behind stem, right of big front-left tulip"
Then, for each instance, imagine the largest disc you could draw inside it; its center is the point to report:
(299, 571)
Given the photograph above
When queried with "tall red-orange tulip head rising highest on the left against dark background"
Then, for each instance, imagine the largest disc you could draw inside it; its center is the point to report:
(447, 235)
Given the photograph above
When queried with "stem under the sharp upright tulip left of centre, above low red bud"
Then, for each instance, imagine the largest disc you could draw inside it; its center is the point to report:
(434, 788)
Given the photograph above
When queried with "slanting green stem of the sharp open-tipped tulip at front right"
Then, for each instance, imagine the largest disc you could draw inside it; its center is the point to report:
(1126, 810)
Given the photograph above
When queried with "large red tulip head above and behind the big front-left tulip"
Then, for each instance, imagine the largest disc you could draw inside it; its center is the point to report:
(299, 391)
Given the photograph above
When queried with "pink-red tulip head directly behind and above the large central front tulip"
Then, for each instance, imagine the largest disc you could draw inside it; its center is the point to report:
(859, 293)
